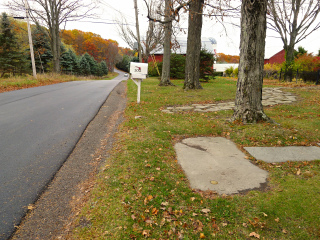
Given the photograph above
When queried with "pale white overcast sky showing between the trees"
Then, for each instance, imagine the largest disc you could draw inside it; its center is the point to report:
(227, 36)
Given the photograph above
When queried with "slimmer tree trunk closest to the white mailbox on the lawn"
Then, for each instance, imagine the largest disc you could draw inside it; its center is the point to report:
(165, 76)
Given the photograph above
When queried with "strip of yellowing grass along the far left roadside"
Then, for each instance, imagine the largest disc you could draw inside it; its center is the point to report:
(20, 82)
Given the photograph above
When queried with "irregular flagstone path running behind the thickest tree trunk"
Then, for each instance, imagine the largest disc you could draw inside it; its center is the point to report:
(270, 96)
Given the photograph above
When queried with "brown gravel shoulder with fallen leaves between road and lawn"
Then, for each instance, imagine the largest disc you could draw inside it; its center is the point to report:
(51, 216)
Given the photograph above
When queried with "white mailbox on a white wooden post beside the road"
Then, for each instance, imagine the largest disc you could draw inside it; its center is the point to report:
(138, 72)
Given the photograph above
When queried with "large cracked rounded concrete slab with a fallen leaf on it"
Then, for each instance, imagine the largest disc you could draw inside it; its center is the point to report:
(215, 163)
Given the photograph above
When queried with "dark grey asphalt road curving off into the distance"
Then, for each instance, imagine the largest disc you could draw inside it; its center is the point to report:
(39, 127)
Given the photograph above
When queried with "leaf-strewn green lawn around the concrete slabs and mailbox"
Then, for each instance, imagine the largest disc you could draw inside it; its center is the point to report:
(142, 192)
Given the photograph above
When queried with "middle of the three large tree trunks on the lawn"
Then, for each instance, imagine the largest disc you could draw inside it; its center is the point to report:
(192, 72)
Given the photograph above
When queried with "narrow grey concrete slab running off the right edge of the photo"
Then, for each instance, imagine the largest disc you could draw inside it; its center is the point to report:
(283, 154)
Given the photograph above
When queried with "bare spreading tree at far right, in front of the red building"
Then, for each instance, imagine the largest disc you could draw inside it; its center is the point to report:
(293, 20)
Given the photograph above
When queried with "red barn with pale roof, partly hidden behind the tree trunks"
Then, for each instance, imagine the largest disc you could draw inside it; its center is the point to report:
(209, 44)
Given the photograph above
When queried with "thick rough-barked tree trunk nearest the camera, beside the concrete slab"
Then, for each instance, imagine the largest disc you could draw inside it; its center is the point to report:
(248, 103)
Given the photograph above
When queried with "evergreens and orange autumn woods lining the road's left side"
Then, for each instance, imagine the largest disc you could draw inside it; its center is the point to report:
(81, 53)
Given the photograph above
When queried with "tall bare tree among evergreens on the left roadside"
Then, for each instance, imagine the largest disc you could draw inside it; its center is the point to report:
(52, 13)
